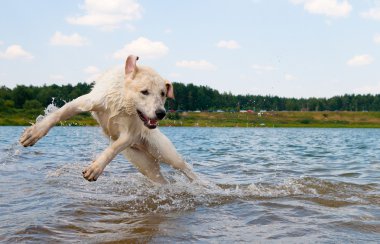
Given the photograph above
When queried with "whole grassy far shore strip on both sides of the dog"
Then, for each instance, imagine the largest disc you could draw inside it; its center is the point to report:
(322, 119)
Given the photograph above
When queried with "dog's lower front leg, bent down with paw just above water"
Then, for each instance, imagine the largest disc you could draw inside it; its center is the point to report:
(92, 172)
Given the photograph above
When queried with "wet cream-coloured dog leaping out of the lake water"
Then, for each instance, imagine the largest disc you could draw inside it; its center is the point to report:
(127, 103)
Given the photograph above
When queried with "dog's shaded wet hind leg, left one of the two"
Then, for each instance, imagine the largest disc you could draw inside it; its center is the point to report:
(146, 164)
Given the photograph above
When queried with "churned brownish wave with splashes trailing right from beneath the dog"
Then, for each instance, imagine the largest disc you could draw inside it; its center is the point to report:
(132, 192)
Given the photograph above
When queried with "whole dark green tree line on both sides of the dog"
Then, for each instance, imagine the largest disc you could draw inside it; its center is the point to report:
(190, 97)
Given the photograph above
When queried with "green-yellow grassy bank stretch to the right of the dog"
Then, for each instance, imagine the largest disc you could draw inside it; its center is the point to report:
(280, 119)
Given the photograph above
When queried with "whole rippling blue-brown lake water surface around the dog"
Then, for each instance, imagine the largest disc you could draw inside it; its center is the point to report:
(275, 185)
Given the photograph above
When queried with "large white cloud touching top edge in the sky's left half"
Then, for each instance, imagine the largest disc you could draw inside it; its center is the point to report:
(107, 15)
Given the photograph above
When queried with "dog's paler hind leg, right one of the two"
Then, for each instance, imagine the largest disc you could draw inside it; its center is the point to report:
(163, 149)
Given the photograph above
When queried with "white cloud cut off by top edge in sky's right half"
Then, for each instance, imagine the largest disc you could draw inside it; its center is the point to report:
(331, 8)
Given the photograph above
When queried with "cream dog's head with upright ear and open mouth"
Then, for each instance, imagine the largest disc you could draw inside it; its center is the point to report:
(148, 92)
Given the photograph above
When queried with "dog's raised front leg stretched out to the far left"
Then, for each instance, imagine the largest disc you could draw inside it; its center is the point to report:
(37, 131)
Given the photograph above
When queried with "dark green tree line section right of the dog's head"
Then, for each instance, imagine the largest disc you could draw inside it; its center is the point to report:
(192, 97)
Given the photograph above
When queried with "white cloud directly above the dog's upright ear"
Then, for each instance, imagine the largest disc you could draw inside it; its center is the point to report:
(144, 48)
